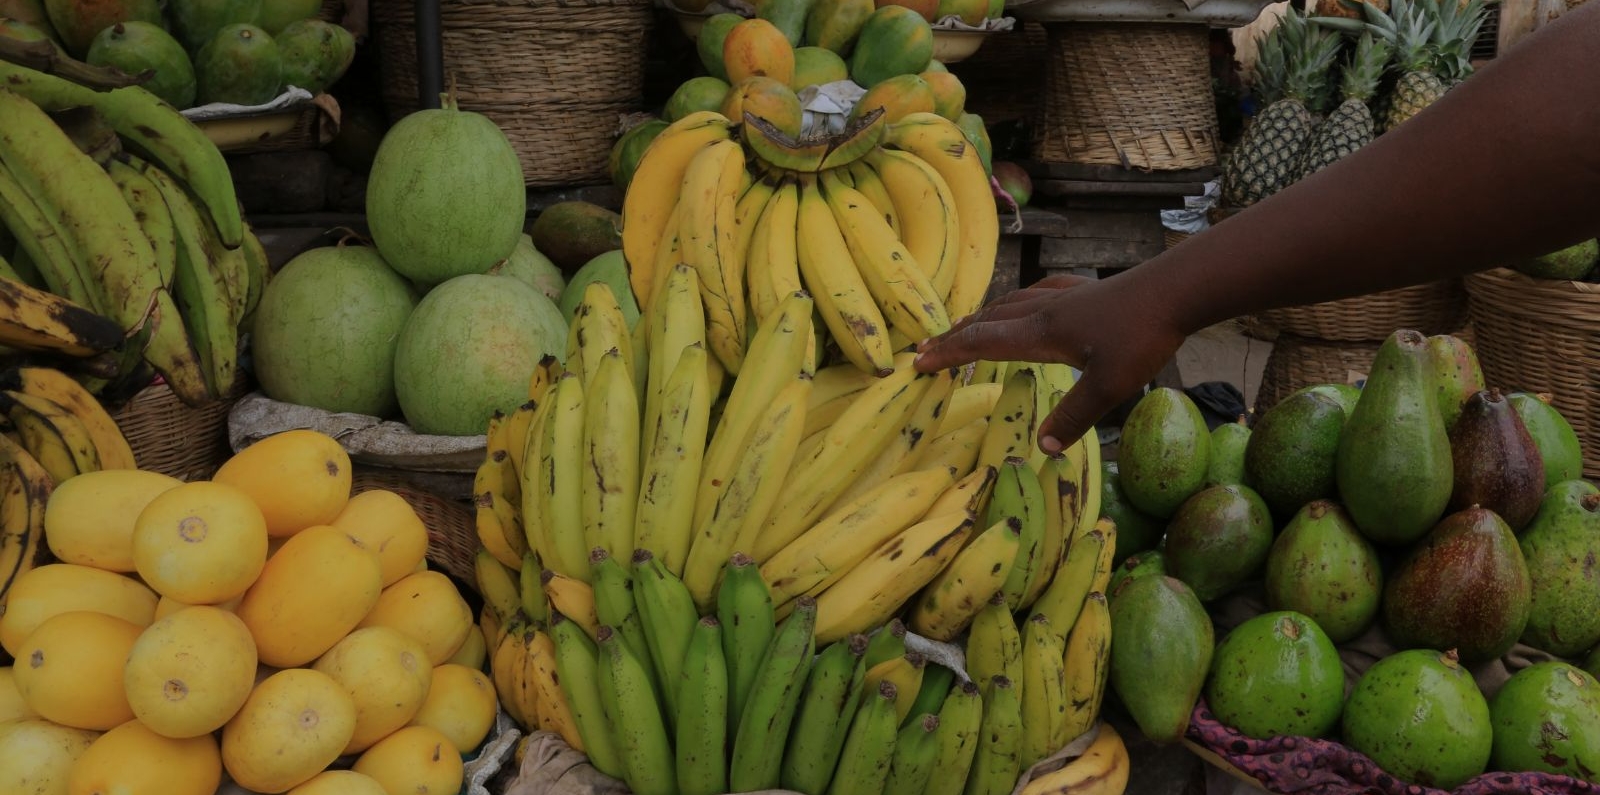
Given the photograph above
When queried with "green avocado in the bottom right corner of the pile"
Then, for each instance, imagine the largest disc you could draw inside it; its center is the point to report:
(1548, 719)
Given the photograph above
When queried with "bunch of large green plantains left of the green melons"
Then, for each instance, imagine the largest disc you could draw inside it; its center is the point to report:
(151, 238)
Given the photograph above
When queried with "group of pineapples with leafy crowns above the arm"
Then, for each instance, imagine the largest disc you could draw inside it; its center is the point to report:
(1388, 68)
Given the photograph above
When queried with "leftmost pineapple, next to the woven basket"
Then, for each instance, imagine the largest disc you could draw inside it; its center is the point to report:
(1292, 84)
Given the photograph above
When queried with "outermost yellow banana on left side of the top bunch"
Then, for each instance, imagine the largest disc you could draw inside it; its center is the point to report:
(652, 198)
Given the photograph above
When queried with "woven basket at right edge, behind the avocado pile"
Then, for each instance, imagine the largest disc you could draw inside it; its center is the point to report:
(1542, 335)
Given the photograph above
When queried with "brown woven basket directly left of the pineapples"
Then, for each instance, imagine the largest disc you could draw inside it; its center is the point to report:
(1129, 95)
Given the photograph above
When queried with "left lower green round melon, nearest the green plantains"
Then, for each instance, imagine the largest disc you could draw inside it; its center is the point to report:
(327, 327)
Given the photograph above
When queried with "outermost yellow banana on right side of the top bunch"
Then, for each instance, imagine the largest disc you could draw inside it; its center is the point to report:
(945, 148)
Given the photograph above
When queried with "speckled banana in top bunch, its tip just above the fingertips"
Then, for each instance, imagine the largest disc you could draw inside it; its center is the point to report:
(897, 282)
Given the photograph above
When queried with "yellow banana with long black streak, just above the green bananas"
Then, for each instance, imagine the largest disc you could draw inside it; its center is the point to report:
(881, 585)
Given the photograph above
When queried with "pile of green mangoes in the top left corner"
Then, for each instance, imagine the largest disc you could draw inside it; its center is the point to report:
(198, 52)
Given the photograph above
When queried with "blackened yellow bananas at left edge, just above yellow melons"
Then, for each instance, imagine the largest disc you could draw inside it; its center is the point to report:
(54, 429)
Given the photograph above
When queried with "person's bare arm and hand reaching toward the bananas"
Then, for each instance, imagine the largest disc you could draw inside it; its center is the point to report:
(1513, 153)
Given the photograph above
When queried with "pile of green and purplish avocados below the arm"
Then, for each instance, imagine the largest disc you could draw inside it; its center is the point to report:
(1426, 506)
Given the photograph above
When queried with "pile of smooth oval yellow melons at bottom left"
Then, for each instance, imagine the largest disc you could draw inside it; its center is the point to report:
(265, 623)
